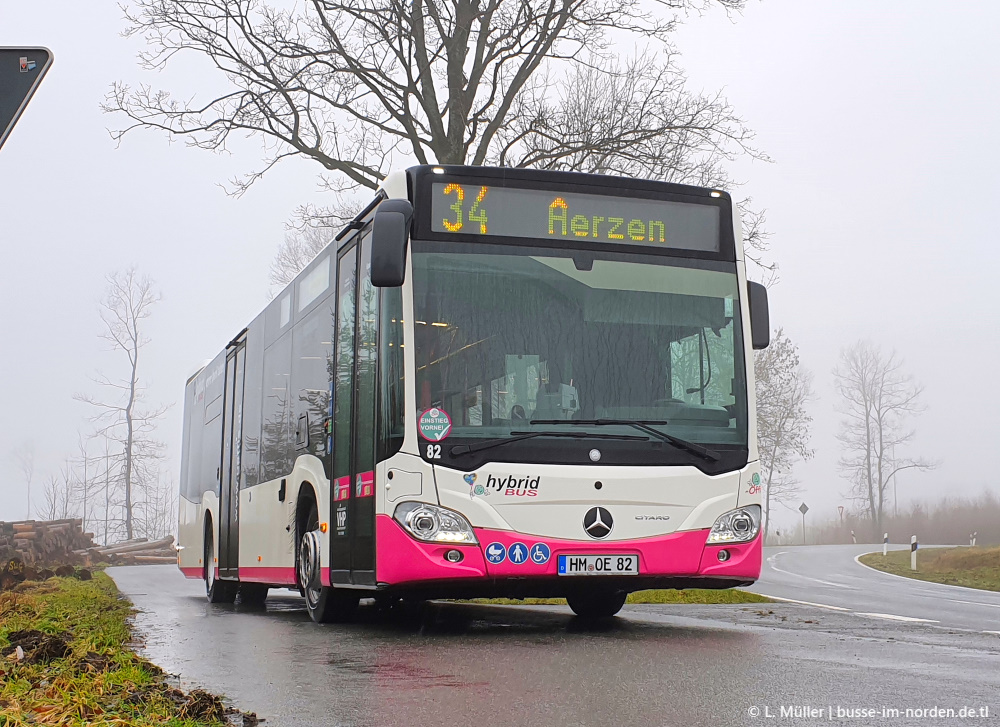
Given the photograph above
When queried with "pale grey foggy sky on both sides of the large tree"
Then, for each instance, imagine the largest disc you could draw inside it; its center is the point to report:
(881, 119)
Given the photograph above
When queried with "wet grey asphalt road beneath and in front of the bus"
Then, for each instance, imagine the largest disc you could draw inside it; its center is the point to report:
(456, 664)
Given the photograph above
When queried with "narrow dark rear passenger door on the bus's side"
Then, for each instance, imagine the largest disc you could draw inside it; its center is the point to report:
(232, 432)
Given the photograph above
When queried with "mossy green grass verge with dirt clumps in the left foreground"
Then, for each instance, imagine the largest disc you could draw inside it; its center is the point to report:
(75, 665)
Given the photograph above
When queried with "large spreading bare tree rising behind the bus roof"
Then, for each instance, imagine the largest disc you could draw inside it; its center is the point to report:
(356, 85)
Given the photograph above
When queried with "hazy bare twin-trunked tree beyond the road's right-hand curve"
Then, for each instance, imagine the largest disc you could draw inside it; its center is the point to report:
(877, 400)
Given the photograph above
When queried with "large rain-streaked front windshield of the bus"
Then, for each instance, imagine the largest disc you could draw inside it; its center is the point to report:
(510, 334)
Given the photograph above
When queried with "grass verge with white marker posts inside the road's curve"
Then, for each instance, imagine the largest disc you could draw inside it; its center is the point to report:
(970, 567)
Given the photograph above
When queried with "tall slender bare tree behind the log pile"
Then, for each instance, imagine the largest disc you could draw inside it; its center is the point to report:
(121, 418)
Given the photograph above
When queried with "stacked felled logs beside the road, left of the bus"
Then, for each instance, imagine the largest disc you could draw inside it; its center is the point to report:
(63, 542)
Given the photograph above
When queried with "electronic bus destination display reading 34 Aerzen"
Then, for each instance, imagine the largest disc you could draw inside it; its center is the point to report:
(476, 209)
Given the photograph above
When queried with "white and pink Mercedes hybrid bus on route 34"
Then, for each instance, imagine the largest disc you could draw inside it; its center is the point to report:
(493, 382)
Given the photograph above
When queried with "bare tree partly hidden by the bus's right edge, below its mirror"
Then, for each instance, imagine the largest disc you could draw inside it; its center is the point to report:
(784, 388)
